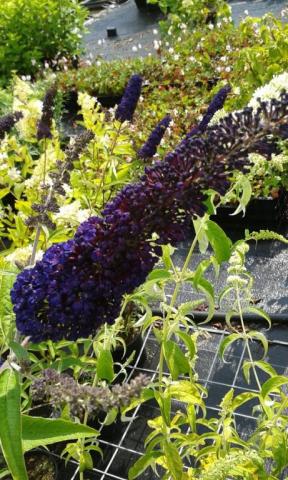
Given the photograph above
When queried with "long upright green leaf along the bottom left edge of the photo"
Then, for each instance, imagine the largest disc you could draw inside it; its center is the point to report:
(10, 423)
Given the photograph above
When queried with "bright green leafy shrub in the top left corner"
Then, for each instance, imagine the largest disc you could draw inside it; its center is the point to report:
(34, 31)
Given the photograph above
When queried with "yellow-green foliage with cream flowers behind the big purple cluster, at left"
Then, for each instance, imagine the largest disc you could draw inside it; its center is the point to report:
(108, 163)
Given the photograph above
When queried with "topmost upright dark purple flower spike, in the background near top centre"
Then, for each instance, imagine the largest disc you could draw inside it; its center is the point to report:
(127, 106)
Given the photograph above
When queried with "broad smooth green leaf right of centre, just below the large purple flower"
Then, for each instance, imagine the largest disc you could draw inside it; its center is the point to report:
(219, 241)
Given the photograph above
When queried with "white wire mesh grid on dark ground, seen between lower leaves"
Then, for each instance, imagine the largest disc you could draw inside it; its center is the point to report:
(125, 443)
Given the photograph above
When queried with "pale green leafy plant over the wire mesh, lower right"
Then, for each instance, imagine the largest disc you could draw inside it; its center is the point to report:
(183, 442)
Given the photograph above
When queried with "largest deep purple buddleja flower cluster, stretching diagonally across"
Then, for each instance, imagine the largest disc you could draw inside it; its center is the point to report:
(79, 284)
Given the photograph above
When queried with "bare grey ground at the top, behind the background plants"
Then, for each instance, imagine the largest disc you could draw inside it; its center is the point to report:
(137, 31)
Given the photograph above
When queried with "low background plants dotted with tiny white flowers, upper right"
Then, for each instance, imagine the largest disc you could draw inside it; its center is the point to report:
(222, 53)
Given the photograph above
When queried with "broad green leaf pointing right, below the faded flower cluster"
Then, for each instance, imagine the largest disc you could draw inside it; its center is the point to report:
(37, 431)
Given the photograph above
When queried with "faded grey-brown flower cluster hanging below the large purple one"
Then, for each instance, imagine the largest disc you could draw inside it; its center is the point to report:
(60, 389)
